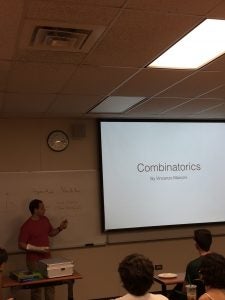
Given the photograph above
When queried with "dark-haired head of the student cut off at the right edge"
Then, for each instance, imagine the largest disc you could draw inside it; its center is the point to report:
(212, 270)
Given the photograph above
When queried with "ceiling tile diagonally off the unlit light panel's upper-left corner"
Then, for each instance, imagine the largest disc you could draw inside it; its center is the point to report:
(96, 80)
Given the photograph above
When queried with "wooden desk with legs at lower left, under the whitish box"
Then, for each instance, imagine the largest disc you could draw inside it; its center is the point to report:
(69, 280)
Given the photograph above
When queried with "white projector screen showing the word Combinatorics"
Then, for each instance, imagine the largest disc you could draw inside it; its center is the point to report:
(162, 173)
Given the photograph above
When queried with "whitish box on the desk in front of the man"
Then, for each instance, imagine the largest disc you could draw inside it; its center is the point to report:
(56, 267)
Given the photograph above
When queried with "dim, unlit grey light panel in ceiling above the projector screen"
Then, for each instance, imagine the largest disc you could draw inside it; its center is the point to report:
(116, 104)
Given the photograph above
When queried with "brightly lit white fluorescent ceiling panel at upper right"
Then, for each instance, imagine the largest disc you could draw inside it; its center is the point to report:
(197, 48)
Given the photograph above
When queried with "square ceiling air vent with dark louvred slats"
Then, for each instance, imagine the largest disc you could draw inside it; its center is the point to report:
(65, 39)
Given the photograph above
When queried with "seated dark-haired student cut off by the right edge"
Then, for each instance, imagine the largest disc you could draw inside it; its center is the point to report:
(212, 272)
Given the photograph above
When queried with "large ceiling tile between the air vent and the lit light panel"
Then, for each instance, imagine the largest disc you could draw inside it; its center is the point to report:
(135, 40)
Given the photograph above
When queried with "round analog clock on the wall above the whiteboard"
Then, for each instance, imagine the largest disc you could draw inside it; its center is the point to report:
(58, 140)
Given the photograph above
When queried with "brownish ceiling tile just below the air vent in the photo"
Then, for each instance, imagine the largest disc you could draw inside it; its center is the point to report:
(38, 78)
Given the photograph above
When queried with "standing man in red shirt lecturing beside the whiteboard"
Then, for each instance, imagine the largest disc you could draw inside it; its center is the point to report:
(34, 239)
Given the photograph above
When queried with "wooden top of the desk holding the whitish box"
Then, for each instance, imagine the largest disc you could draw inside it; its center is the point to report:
(8, 282)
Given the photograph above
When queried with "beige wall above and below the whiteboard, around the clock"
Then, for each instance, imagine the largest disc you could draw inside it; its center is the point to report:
(24, 148)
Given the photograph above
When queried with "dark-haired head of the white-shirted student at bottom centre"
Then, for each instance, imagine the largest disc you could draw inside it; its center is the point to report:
(136, 273)
